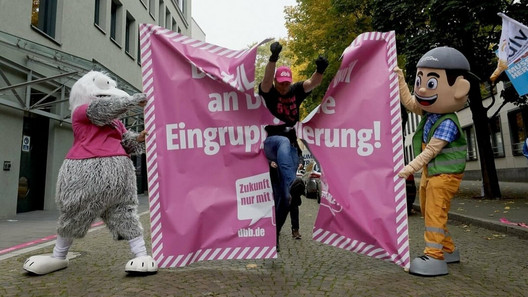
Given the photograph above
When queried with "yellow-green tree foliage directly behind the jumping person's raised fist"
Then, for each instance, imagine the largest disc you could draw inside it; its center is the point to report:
(323, 27)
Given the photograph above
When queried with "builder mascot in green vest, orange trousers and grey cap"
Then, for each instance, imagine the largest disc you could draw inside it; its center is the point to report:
(439, 144)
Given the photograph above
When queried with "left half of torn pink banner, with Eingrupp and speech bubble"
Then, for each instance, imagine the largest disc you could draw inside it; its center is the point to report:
(209, 186)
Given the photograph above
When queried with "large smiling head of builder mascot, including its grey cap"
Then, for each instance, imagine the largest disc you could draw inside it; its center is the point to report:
(440, 86)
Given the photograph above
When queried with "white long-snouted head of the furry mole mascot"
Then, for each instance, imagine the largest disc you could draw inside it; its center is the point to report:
(93, 85)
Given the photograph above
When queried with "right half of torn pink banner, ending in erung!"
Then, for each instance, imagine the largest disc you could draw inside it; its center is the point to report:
(356, 136)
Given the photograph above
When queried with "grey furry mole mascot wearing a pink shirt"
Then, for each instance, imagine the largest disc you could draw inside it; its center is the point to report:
(97, 178)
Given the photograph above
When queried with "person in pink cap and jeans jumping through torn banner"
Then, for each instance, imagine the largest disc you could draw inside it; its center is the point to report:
(283, 99)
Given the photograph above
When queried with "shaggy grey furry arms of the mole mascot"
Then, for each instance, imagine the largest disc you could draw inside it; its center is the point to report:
(103, 111)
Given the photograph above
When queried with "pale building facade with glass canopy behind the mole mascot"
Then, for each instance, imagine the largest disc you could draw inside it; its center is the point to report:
(45, 46)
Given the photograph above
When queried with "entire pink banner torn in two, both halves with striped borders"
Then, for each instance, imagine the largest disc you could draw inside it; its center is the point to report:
(209, 187)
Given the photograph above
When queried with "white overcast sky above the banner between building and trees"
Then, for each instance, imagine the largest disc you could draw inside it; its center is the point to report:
(235, 24)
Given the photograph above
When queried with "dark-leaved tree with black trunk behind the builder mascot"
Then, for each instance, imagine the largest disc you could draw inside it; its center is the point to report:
(471, 26)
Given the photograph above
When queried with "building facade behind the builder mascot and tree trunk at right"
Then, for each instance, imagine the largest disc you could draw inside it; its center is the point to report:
(507, 135)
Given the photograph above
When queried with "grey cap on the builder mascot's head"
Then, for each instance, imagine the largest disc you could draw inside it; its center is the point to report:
(444, 58)
